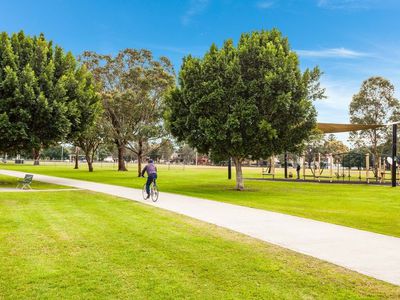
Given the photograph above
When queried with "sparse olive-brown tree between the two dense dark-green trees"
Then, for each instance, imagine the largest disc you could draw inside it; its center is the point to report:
(132, 86)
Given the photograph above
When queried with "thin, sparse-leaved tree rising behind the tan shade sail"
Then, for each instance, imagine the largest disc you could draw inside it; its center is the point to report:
(374, 104)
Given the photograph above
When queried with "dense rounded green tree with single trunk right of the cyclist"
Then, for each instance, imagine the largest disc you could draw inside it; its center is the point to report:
(249, 100)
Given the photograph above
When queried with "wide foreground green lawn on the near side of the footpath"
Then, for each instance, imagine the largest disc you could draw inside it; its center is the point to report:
(83, 245)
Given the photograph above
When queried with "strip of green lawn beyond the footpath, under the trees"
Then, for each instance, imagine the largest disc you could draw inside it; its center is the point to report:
(367, 207)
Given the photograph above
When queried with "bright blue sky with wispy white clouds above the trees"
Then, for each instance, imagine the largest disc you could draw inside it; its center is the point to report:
(350, 40)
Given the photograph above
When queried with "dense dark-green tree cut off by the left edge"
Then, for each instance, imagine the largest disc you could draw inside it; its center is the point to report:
(41, 89)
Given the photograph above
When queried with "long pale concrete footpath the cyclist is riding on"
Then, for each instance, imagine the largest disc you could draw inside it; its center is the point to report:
(372, 254)
